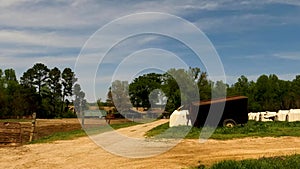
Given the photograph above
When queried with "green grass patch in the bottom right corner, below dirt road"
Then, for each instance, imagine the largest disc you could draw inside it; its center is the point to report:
(286, 162)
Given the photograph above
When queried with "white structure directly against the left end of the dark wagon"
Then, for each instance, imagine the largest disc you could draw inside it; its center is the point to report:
(180, 118)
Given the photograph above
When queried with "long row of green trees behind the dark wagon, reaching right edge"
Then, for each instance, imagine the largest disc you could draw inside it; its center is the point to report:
(179, 86)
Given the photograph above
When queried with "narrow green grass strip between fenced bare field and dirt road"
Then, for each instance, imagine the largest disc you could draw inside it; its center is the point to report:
(80, 133)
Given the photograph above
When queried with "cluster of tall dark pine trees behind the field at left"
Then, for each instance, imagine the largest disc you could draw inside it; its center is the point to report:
(48, 92)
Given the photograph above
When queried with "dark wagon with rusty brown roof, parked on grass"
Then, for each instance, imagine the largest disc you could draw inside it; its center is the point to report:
(235, 111)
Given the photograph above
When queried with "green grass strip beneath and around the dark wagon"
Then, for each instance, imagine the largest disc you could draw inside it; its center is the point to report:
(251, 129)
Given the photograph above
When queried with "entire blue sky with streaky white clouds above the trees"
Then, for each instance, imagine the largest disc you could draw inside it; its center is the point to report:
(107, 40)
